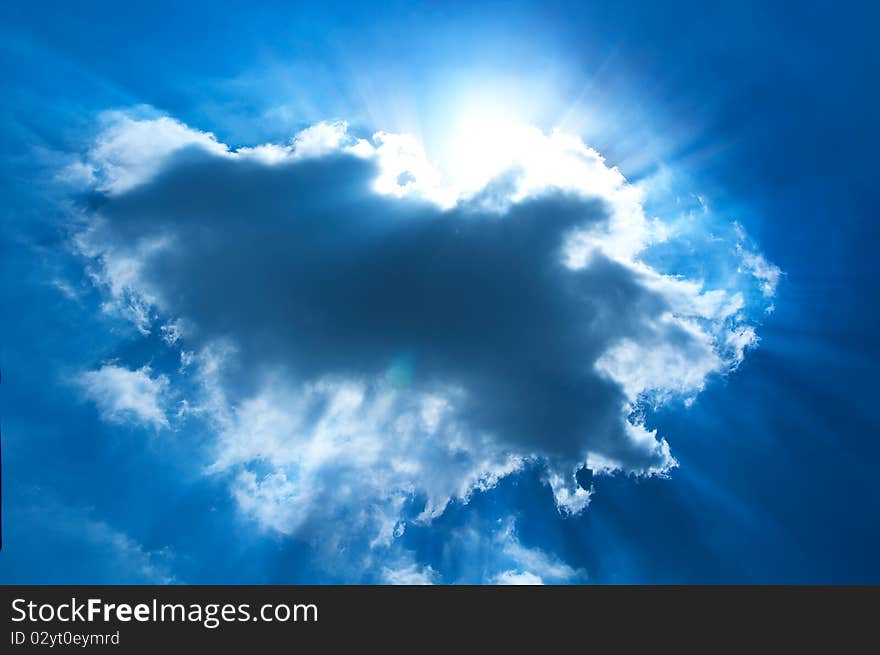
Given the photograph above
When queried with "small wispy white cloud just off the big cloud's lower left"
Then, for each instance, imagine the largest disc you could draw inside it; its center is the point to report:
(124, 395)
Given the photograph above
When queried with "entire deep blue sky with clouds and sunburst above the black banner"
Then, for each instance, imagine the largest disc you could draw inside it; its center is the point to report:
(493, 293)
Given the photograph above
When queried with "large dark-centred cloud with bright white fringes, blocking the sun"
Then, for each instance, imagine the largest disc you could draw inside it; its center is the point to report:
(362, 334)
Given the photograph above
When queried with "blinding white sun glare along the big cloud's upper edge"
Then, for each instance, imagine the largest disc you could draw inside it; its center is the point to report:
(490, 155)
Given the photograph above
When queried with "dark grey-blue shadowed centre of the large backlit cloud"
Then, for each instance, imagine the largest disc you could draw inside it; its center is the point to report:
(308, 269)
